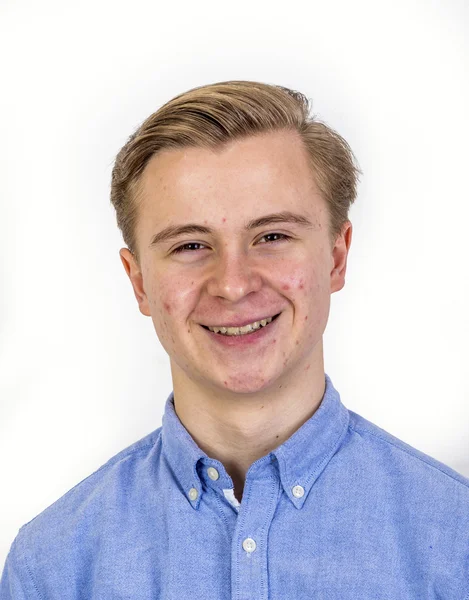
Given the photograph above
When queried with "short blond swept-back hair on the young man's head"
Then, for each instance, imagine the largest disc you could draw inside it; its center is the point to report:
(212, 115)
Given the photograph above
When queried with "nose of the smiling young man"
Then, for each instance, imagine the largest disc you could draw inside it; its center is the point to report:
(233, 278)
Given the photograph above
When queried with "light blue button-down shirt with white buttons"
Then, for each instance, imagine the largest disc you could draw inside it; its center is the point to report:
(341, 510)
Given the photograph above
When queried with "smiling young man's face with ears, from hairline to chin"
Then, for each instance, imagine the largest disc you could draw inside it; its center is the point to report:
(236, 263)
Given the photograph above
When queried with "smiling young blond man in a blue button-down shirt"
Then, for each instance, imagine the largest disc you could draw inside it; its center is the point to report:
(233, 203)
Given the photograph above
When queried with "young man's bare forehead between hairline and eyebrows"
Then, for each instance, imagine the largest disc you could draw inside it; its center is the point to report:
(244, 177)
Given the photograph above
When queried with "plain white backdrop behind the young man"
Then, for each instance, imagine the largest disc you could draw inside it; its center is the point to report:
(82, 374)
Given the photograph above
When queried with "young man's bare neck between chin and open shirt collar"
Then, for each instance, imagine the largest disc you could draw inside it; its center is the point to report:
(238, 429)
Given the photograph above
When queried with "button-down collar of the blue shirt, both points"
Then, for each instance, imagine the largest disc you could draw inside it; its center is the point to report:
(299, 460)
